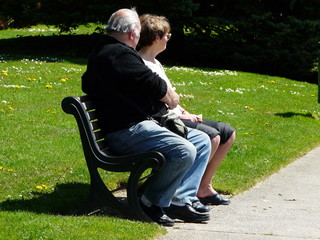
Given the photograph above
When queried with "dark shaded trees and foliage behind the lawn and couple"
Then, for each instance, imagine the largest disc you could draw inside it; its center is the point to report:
(264, 36)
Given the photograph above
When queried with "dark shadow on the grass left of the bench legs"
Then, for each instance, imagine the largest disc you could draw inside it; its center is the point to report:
(66, 199)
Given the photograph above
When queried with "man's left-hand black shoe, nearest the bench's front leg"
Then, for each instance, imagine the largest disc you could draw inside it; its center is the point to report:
(157, 215)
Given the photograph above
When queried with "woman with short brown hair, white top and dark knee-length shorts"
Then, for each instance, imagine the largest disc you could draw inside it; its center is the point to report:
(155, 33)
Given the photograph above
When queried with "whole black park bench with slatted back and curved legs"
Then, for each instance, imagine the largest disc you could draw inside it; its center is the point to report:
(98, 156)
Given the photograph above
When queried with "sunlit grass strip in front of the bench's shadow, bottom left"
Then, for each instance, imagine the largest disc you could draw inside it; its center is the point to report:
(25, 225)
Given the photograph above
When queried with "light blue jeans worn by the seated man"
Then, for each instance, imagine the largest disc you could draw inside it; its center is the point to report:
(186, 160)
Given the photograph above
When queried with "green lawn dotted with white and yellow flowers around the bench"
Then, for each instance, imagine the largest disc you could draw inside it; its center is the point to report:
(43, 174)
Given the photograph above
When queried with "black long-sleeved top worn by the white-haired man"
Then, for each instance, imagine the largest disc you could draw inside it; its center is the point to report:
(118, 81)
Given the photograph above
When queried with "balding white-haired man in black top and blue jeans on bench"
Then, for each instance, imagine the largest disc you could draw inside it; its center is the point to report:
(126, 92)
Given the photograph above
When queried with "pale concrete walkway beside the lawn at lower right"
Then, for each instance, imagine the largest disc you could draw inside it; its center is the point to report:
(286, 206)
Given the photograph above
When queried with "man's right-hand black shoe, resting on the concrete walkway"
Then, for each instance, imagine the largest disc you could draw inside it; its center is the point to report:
(186, 213)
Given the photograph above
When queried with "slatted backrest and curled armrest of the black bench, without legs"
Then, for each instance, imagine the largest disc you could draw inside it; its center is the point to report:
(94, 145)
